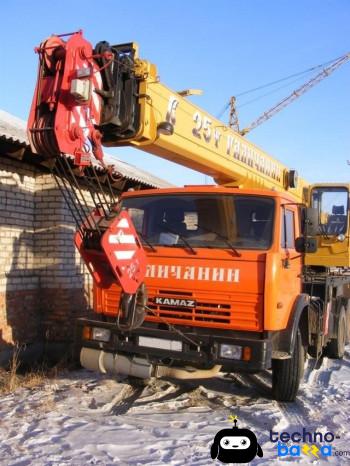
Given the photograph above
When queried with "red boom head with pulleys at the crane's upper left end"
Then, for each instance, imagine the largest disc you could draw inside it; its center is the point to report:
(66, 107)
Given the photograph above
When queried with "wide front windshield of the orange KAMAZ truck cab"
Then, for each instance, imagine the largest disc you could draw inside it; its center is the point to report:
(203, 221)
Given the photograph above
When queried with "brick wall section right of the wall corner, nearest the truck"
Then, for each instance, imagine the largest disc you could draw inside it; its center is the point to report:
(65, 284)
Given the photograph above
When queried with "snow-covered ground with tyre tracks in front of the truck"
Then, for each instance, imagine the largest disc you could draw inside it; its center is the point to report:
(82, 419)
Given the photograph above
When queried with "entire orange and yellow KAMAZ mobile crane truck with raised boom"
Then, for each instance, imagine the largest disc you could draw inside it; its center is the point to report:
(246, 275)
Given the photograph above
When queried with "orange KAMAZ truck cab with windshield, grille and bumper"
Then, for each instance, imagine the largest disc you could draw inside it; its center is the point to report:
(222, 271)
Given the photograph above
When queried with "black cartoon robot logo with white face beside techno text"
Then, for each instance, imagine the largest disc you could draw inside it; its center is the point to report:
(235, 445)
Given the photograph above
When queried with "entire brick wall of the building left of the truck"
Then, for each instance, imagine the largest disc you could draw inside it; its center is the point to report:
(43, 284)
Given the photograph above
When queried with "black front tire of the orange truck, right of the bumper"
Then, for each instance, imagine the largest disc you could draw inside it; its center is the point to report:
(287, 373)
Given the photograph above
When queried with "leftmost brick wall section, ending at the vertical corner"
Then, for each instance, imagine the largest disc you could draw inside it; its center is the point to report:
(19, 316)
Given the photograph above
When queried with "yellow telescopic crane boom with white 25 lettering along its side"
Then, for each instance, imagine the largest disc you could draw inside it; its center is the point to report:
(175, 129)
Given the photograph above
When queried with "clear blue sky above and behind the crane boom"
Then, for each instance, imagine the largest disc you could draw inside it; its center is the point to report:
(223, 47)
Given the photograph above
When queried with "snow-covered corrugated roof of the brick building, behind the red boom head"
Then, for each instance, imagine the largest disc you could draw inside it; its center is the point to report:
(13, 129)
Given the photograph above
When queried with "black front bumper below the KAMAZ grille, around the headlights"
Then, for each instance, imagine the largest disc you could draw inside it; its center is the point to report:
(201, 350)
